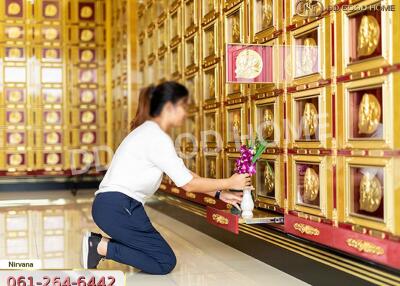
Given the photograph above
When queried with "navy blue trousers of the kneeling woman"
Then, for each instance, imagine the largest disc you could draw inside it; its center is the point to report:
(134, 240)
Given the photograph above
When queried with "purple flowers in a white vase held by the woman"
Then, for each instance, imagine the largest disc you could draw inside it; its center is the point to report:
(249, 154)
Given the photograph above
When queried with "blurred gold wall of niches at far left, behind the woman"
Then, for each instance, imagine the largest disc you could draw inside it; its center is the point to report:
(53, 94)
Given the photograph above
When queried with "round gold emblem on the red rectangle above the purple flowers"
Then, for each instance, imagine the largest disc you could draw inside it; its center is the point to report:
(249, 64)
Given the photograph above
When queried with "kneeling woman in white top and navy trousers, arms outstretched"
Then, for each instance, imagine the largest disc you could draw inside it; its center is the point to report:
(135, 173)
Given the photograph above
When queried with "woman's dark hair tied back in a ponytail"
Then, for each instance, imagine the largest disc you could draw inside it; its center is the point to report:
(153, 98)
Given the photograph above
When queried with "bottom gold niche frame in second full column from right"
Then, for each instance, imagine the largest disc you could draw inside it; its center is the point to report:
(325, 185)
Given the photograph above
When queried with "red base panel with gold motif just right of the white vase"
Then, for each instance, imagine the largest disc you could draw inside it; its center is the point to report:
(318, 232)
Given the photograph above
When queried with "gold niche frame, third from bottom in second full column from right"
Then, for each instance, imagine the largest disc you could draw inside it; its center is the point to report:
(324, 66)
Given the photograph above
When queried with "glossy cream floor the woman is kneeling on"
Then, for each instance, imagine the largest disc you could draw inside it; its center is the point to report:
(48, 225)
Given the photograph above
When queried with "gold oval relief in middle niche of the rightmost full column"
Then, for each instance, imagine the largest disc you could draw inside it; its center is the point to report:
(369, 114)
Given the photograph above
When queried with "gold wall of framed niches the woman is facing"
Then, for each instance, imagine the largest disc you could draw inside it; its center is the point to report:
(332, 150)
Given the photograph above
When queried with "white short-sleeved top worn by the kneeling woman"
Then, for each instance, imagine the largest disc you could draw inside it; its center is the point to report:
(137, 166)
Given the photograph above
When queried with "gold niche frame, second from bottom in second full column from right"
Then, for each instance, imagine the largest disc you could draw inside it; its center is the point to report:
(324, 118)
